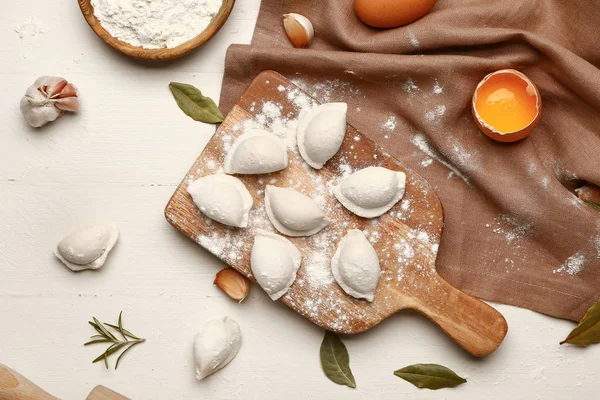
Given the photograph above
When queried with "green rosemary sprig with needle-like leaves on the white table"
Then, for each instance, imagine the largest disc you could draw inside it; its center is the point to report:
(106, 336)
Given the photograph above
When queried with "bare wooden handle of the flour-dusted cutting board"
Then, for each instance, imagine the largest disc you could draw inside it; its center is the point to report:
(475, 326)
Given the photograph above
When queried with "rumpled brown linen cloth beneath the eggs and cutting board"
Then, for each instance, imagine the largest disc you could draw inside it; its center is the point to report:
(514, 232)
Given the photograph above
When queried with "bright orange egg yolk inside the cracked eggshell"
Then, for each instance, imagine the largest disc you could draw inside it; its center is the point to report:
(507, 103)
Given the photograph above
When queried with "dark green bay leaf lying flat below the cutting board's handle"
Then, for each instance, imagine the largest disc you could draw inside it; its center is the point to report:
(430, 376)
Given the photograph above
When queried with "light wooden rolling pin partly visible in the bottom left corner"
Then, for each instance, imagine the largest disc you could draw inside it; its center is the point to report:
(14, 386)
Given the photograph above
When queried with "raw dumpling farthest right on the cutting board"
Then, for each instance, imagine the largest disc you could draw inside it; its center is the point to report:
(372, 191)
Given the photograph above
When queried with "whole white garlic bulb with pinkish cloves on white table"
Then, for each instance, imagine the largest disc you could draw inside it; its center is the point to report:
(47, 99)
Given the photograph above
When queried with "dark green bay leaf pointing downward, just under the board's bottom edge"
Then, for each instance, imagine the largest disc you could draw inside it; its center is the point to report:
(336, 361)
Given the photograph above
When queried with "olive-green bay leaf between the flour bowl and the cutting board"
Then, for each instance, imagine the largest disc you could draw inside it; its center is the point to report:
(198, 107)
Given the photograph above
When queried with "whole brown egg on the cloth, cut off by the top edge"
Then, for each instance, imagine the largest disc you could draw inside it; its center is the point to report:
(391, 13)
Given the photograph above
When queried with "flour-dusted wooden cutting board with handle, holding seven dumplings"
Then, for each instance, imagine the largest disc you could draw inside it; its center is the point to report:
(406, 238)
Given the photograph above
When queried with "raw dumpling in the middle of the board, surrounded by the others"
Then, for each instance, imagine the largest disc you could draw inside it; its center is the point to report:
(293, 213)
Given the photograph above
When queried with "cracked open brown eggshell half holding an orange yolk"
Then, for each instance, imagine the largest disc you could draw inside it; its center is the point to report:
(507, 106)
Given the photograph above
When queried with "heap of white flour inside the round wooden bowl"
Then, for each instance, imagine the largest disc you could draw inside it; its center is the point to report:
(154, 24)
